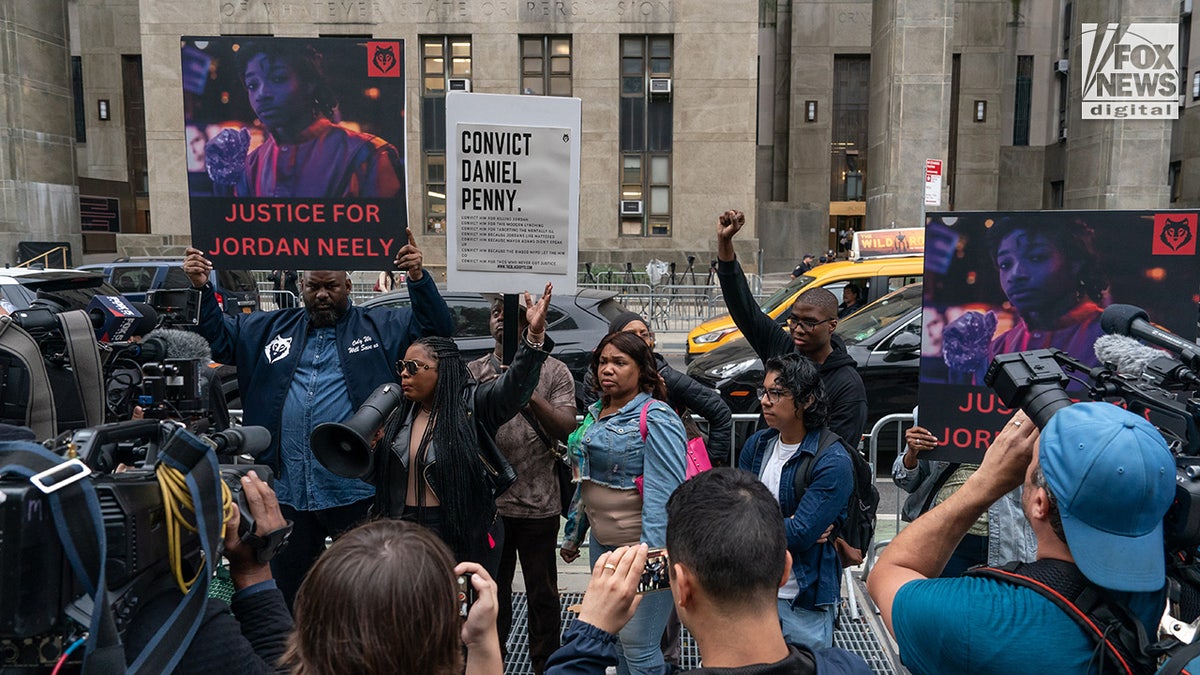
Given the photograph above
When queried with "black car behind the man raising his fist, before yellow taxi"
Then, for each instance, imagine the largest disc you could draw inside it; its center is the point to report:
(884, 338)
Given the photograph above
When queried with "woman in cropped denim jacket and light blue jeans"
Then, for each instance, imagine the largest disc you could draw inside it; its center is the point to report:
(609, 453)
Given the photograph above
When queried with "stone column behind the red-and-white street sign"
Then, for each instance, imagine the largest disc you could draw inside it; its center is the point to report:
(911, 43)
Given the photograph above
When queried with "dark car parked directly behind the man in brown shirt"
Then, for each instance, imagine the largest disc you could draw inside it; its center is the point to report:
(577, 324)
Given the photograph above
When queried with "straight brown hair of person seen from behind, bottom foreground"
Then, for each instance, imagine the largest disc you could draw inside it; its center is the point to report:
(388, 589)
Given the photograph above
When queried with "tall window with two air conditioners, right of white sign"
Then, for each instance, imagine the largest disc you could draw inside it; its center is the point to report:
(646, 135)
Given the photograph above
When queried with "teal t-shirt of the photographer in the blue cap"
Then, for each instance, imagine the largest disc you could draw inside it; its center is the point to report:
(983, 626)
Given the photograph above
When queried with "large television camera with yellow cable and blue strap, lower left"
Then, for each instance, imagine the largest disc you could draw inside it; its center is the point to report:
(152, 533)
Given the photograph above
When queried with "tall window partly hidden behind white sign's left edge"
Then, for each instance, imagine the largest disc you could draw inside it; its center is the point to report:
(443, 58)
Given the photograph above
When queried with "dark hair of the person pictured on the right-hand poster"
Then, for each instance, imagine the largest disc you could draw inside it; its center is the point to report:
(1072, 237)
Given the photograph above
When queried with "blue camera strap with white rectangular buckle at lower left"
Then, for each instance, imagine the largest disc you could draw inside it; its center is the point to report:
(71, 494)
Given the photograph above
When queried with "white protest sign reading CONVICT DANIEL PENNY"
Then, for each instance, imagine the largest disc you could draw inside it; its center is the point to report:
(513, 193)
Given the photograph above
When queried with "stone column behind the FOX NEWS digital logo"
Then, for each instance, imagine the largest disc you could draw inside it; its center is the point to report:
(1115, 164)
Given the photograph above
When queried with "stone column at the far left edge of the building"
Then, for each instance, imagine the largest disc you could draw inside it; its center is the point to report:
(39, 200)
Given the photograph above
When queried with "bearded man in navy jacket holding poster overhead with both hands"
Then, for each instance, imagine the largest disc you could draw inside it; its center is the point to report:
(303, 367)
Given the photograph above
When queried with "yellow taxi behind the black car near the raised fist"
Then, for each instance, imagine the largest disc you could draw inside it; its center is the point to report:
(875, 277)
